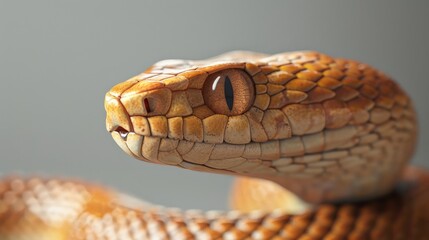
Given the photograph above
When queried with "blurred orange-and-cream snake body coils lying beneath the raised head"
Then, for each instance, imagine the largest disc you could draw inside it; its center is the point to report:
(58, 209)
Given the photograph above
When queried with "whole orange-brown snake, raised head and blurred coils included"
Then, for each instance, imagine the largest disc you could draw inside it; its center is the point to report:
(320, 147)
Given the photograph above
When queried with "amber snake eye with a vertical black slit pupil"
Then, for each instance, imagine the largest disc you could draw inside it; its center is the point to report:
(228, 92)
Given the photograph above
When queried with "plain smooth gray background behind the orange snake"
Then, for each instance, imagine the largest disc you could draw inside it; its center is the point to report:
(58, 58)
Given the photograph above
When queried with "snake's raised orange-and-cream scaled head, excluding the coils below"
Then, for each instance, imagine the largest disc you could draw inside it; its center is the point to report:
(299, 119)
